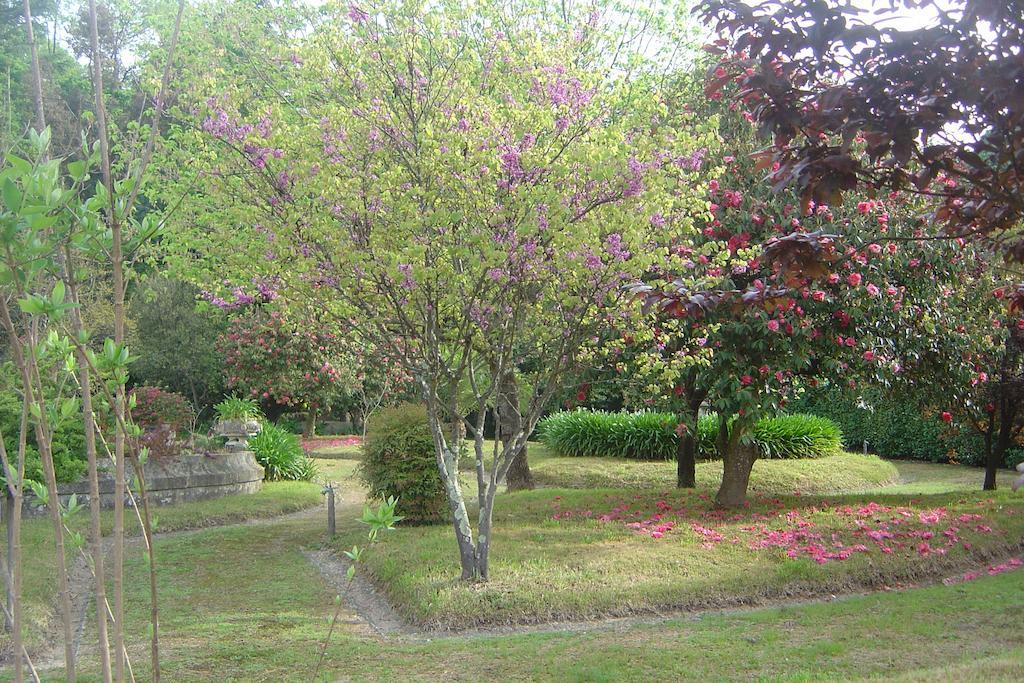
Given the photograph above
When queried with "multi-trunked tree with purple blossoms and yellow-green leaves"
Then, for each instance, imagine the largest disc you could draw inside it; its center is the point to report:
(468, 196)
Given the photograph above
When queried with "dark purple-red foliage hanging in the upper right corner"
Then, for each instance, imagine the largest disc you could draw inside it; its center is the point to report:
(832, 134)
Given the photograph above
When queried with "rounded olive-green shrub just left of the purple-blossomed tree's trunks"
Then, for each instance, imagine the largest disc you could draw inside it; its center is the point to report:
(399, 461)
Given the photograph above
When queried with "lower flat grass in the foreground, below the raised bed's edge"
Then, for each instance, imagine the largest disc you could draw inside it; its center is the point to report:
(242, 605)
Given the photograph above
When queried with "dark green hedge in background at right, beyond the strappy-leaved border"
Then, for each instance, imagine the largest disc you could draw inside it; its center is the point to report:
(895, 429)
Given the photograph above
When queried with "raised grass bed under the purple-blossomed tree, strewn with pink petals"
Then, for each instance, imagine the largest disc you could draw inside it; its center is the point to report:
(545, 569)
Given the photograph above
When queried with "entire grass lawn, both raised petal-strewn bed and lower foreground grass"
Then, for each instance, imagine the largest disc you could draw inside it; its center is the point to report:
(244, 604)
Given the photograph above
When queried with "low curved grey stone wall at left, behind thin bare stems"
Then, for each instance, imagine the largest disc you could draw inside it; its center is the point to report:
(191, 478)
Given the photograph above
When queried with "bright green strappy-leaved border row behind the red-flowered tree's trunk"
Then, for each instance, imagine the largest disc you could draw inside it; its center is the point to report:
(653, 436)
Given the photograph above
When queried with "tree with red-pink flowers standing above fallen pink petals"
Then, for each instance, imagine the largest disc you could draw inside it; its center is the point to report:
(754, 316)
